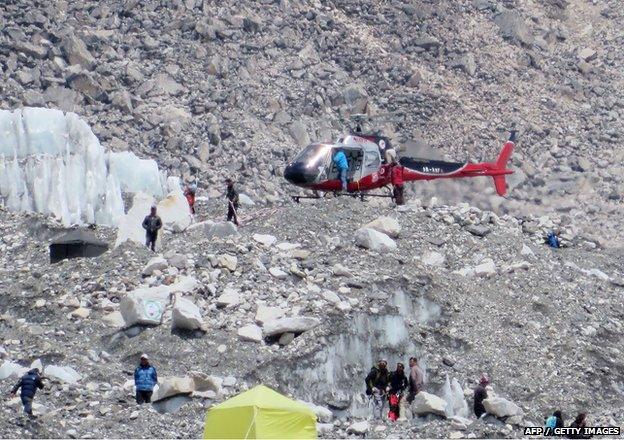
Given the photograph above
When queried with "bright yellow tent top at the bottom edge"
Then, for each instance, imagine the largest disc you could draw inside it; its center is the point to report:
(260, 413)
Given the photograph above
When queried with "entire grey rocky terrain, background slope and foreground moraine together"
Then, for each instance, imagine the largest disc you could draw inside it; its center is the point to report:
(236, 88)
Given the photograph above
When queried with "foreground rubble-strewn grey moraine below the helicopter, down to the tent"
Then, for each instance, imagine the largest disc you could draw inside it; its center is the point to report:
(465, 290)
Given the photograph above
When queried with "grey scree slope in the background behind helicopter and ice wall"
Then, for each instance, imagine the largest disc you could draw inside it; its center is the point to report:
(229, 87)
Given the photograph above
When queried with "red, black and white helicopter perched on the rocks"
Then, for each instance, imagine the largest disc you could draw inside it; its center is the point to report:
(314, 169)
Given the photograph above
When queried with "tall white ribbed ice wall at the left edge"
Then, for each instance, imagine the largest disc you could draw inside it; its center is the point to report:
(52, 163)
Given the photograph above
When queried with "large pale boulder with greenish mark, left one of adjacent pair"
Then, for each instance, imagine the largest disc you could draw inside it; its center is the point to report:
(144, 305)
